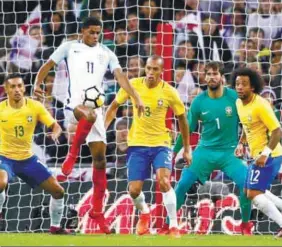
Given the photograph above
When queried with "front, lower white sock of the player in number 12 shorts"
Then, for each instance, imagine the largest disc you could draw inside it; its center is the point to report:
(268, 208)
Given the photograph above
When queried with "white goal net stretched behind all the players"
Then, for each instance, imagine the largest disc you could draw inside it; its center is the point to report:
(187, 34)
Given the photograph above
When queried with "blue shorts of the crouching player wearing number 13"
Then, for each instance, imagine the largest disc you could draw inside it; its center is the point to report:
(31, 170)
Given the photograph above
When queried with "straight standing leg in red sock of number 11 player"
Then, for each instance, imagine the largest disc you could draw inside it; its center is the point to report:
(99, 180)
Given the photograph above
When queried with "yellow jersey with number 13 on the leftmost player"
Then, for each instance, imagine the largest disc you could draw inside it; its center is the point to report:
(17, 127)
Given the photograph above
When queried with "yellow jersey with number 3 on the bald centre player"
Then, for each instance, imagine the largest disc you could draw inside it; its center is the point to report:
(150, 129)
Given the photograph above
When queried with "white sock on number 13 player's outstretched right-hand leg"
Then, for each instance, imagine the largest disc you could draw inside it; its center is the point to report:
(56, 211)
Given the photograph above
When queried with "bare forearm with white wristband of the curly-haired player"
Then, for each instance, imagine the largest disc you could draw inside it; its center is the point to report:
(273, 141)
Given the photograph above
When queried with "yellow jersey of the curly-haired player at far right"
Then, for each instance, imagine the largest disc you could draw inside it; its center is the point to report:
(258, 120)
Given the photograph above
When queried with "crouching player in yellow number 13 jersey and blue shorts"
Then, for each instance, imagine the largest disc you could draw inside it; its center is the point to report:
(18, 118)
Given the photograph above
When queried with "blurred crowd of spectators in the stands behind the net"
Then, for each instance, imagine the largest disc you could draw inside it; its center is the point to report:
(239, 33)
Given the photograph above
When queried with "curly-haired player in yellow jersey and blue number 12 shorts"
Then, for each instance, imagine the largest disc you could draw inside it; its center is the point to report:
(261, 131)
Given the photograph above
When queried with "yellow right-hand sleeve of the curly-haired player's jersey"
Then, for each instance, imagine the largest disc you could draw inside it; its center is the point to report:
(267, 116)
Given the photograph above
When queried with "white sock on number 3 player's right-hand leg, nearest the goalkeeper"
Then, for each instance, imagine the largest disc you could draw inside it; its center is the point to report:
(169, 199)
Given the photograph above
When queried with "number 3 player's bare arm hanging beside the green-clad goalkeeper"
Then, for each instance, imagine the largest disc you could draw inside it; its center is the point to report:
(184, 129)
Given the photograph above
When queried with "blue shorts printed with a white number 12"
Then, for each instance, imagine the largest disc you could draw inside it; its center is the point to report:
(260, 178)
